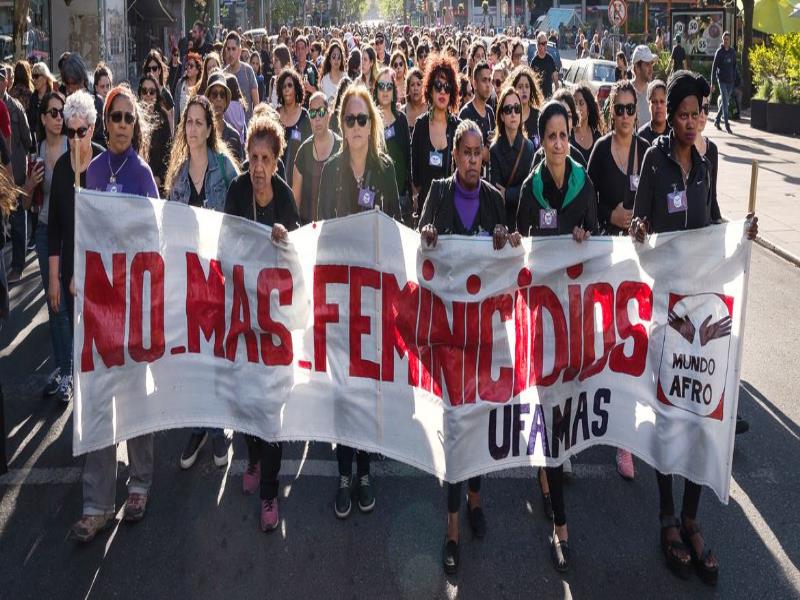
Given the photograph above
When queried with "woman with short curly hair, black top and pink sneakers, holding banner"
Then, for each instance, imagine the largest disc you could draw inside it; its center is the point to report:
(261, 196)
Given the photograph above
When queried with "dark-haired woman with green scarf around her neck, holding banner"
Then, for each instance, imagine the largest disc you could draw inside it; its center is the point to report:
(557, 198)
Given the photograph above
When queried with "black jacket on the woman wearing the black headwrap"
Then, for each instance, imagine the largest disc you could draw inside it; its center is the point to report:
(661, 175)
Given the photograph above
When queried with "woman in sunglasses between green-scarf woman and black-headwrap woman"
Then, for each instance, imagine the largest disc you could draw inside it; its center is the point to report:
(615, 163)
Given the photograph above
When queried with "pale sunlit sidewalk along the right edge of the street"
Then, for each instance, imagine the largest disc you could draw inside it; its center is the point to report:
(778, 192)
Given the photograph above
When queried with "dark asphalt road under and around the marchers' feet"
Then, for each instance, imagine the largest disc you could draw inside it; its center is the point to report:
(200, 538)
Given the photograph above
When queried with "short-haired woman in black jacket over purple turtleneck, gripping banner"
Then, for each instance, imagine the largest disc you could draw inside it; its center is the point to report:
(464, 204)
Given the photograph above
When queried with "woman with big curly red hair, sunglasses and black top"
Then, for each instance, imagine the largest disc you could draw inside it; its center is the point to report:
(432, 140)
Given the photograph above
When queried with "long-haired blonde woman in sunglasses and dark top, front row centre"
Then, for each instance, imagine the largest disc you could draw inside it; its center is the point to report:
(362, 178)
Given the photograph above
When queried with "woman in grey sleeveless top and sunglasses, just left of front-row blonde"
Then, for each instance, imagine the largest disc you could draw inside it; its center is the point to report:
(312, 156)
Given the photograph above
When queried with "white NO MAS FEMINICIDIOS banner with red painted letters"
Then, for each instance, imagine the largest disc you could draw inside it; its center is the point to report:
(458, 360)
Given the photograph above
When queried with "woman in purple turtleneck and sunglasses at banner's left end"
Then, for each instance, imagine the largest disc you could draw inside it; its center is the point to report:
(120, 169)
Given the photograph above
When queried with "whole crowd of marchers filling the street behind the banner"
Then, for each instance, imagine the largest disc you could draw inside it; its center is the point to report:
(445, 131)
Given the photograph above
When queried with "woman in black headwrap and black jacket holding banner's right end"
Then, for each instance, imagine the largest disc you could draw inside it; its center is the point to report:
(674, 195)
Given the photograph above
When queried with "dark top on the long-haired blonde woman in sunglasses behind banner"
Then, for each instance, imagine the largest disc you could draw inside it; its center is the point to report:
(338, 192)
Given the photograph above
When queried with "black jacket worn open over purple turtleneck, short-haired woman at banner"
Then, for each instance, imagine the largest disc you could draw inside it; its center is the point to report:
(440, 209)
